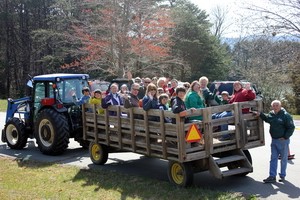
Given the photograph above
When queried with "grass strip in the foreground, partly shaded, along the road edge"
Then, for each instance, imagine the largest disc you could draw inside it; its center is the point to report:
(34, 180)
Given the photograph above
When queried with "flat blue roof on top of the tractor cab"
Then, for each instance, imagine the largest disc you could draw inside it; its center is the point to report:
(52, 77)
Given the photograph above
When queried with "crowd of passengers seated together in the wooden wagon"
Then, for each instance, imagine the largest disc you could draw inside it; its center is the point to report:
(162, 93)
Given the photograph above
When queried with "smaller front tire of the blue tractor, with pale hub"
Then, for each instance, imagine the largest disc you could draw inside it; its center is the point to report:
(15, 134)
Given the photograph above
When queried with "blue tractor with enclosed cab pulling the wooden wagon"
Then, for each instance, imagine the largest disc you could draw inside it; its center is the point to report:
(50, 114)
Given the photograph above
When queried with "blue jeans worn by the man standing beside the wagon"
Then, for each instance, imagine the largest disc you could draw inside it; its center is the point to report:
(279, 147)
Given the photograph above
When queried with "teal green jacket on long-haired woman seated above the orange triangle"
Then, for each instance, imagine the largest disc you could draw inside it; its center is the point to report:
(193, 100)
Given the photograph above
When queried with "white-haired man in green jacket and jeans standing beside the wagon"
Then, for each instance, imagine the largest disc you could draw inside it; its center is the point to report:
(281, 129)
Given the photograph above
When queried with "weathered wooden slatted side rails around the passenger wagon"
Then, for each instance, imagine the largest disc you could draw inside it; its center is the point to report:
(146, 132)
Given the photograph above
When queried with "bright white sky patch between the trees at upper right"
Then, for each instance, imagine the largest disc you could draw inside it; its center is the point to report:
(236, 13)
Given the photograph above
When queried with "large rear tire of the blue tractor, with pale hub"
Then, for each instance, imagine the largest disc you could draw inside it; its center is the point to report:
(52, 132)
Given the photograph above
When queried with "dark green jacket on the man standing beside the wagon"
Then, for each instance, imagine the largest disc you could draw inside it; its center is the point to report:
(281, 124)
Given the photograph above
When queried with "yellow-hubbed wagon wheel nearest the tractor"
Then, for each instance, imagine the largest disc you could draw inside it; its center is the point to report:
(98, 153)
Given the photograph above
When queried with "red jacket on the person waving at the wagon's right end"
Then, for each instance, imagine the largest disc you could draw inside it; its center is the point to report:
(242, 95)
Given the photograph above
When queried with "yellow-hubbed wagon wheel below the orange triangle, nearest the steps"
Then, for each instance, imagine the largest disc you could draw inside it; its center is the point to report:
(180, 174)
